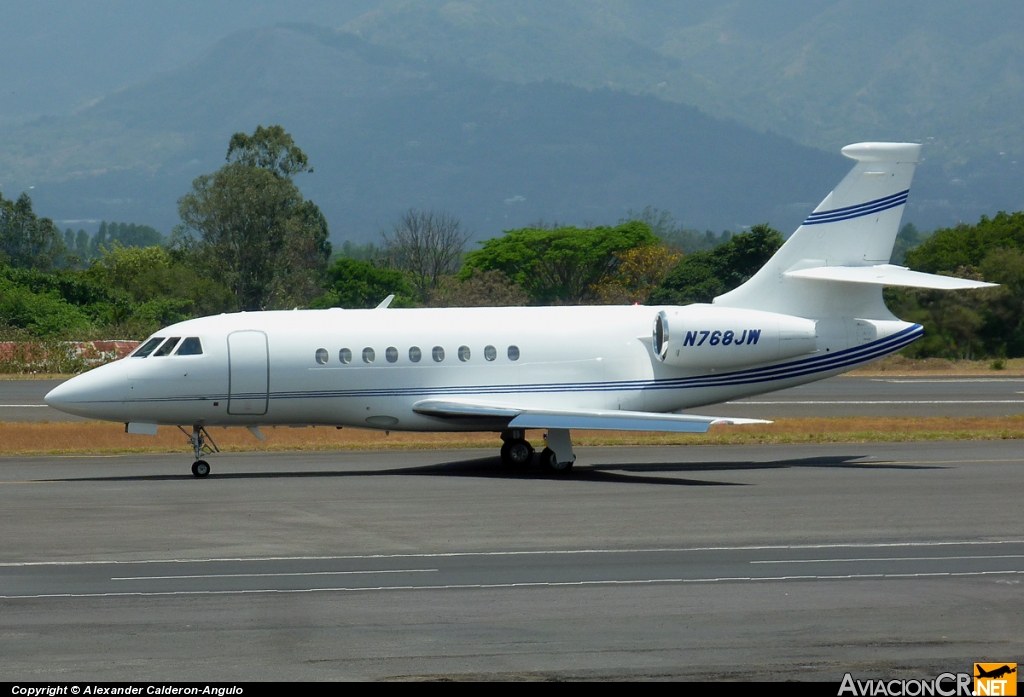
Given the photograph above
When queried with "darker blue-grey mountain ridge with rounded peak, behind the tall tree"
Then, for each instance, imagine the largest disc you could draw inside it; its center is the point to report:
(386, 133)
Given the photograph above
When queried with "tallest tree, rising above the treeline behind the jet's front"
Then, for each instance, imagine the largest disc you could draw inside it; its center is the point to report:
(250, 226)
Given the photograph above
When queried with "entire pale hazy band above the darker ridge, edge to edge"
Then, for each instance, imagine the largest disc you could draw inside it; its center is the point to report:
(823, 72)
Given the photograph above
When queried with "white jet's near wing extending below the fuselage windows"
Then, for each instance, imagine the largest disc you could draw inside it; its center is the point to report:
(596, 420)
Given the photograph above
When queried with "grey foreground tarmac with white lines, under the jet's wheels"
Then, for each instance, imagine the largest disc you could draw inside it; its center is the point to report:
(782, 562)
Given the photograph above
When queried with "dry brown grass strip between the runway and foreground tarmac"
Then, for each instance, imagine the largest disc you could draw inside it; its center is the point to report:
(21, 439)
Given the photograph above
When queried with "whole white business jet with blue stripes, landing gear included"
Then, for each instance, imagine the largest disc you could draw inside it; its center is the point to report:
(815, 311)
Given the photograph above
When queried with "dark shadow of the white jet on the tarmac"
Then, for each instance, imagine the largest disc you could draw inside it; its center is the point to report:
(492, 468)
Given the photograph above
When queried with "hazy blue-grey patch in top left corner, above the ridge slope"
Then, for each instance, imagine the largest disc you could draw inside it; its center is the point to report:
(57, 56)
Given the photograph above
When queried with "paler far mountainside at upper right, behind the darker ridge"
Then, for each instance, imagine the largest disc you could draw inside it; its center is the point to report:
(823, 72)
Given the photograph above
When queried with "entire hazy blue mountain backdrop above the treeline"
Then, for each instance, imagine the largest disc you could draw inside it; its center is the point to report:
(503, 114)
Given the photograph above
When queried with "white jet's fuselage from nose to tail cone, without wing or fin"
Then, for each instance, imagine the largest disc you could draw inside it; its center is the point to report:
(287, 368)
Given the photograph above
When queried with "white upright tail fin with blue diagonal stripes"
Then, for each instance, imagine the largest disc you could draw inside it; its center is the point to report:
(855, 227)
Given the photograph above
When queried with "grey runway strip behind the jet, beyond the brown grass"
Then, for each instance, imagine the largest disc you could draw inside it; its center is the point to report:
(22, 401)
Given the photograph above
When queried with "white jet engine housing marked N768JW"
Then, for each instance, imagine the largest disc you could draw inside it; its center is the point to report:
(710, 337)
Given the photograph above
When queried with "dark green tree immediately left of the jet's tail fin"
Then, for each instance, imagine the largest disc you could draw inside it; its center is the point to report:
(703, 276)
